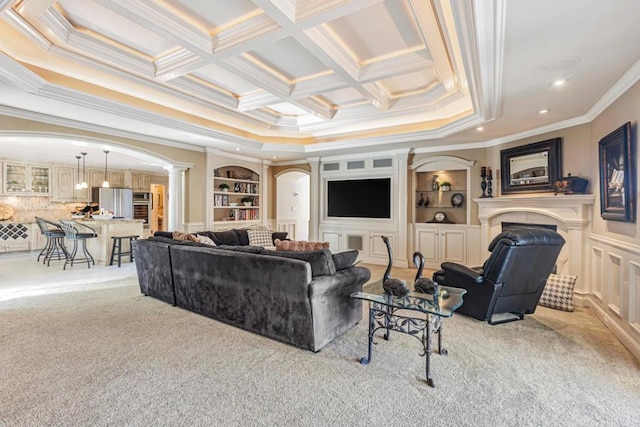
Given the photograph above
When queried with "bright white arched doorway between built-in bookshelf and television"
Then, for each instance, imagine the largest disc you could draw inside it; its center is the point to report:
(293, 204)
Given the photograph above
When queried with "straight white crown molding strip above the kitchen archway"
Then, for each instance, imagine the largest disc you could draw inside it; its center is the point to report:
(74, 124)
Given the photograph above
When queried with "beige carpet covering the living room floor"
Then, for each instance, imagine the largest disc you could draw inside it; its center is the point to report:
(111, 356)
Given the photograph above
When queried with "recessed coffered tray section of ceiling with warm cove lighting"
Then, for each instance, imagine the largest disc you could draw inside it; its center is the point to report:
(267, 71)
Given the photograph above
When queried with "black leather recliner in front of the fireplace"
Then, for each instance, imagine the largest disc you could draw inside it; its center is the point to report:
(510, 282)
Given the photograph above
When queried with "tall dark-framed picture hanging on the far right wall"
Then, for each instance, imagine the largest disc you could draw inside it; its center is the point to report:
(618, 176)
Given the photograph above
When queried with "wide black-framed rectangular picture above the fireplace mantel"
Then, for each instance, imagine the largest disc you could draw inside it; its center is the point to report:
(531, 168)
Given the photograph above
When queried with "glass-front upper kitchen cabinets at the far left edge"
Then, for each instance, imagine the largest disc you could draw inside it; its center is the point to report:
(26, 179)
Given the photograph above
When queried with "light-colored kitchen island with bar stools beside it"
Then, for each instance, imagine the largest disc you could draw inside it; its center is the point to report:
(100, 247)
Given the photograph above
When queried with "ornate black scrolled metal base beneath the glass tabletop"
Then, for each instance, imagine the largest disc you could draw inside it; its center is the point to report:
(383, 316)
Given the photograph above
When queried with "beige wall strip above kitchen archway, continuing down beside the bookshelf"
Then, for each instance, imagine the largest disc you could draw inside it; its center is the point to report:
(195, 176)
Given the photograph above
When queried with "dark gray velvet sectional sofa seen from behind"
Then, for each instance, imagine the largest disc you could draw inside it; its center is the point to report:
(300, 298)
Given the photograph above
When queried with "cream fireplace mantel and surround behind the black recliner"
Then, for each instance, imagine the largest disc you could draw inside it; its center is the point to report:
(570, 213)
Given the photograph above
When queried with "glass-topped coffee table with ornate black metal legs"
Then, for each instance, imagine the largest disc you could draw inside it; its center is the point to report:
(416, 314)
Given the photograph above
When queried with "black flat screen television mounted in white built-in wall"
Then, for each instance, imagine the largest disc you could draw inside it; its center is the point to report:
(359, 198)
